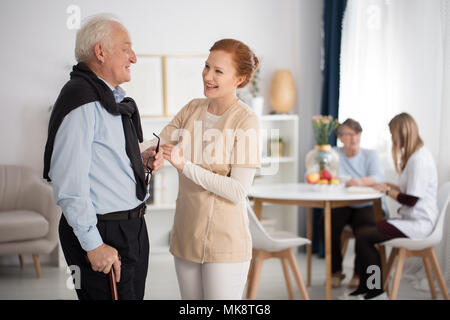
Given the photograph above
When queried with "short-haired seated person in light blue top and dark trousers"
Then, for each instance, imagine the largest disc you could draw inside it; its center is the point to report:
(363, 168)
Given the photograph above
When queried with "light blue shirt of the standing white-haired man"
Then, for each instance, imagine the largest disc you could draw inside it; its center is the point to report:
(90, 170)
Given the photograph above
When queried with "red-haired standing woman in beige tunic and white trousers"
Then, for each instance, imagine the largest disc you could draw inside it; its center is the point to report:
(214, 144)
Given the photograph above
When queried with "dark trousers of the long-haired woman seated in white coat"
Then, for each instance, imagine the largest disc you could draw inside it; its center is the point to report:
(368, 255)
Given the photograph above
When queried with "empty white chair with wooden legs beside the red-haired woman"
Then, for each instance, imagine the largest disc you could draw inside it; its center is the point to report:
(276, 245)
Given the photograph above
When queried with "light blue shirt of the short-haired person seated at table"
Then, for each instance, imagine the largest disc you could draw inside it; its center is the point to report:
(365, 164)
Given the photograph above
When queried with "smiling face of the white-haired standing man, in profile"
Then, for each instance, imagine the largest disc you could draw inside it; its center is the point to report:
(118, 61)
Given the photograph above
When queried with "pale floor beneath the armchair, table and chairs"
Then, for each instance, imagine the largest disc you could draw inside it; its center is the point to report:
(162, 284)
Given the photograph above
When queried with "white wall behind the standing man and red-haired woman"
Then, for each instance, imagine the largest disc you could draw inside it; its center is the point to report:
(37, 53)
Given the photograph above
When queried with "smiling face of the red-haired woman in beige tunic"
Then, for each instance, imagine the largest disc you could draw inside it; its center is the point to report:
(219, 75)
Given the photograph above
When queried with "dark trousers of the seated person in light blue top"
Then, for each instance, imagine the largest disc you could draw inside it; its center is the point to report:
(356, 218)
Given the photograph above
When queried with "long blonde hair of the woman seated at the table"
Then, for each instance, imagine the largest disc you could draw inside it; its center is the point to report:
(405, 139)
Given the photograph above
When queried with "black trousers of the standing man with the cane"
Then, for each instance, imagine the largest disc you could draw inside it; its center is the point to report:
(130, 239)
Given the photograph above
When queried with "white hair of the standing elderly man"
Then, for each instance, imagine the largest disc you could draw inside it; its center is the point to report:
(96, 29)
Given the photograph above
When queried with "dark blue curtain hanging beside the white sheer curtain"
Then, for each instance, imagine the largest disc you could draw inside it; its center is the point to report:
(332, 26)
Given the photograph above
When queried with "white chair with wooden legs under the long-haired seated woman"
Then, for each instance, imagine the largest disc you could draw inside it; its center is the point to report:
(403, 248)
